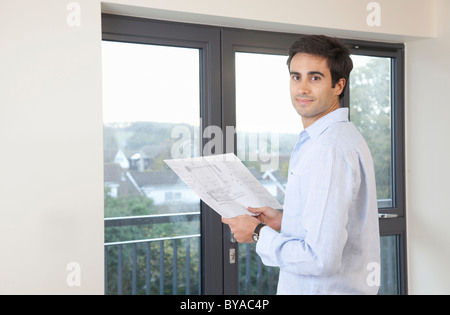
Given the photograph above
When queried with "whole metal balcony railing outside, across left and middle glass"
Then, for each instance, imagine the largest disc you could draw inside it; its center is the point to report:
(171, 264)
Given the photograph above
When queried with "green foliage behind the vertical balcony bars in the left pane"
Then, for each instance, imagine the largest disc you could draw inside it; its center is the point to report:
(146, 262)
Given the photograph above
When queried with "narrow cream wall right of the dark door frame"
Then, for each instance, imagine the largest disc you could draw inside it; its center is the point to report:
(428, 159)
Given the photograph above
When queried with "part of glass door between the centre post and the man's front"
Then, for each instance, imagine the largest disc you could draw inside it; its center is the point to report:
(258, 104)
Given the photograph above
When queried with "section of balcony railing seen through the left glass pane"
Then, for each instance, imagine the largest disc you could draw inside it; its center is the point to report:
(164, 265)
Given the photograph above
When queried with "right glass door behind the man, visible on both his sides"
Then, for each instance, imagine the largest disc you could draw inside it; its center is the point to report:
(267, 129)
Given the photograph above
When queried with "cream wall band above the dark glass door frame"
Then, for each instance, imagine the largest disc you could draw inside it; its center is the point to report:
(401, 19)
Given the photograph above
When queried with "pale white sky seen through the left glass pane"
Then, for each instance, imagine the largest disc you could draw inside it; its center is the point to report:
(150, 83)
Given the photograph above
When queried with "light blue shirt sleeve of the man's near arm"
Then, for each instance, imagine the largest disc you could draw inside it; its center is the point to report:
(313, 233)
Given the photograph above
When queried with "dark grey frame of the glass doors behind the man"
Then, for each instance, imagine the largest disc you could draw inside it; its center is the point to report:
(218, 46)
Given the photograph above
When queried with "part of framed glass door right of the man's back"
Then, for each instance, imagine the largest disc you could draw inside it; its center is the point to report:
(374, 109)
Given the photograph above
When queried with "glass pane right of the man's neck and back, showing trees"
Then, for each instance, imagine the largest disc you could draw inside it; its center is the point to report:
(370, 111)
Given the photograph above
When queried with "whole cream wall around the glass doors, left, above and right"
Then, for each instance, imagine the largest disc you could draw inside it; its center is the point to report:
(51, 186)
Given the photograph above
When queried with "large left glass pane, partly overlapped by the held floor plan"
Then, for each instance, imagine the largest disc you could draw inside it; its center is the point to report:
(151, 106)
